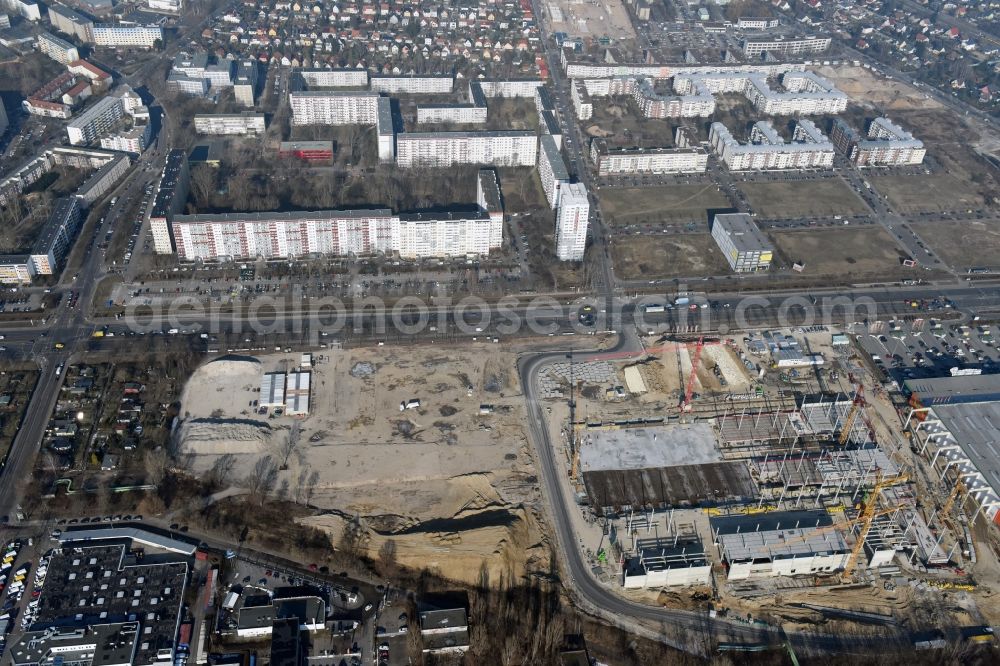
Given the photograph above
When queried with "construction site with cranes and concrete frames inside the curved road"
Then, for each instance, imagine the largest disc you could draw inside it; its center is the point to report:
(762, 476)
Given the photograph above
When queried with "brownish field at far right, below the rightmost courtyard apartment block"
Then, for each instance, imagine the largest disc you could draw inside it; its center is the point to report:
(920, 193)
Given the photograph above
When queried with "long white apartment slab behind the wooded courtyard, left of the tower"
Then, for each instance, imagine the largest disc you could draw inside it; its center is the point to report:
(445, 149)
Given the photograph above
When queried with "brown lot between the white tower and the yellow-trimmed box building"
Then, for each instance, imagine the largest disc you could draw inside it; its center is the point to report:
(675, 255)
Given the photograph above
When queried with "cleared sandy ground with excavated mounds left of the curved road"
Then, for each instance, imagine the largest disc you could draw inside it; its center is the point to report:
(362, 458)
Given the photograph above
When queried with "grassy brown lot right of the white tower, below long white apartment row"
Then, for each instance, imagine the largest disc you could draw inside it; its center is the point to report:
(680, 203)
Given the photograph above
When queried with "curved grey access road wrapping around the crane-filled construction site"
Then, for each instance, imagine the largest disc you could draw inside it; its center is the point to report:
(691, 631)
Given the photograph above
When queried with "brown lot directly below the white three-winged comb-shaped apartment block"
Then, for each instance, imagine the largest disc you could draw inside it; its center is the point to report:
(830, 196)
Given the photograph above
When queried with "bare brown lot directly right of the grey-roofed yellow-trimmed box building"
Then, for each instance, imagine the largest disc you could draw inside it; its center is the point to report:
(859, 251)
